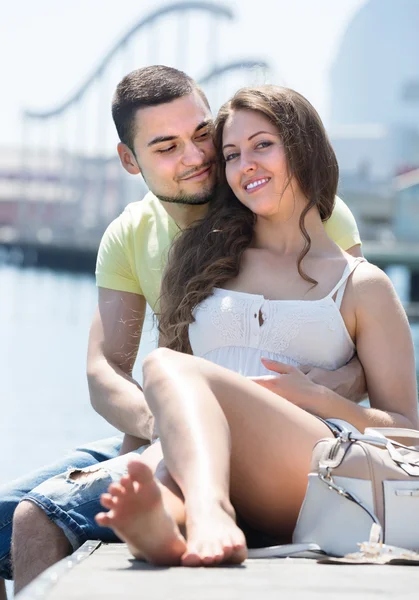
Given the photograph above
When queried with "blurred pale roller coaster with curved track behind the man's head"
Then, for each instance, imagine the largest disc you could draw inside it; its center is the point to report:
(67, 195)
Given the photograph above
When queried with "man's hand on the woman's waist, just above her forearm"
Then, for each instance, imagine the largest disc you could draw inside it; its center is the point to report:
(348, 381)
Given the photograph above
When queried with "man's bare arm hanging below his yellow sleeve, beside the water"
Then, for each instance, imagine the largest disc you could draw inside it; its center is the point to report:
(113, 345)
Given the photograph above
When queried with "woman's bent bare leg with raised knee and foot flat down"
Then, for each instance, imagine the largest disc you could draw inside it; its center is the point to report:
(210, 418)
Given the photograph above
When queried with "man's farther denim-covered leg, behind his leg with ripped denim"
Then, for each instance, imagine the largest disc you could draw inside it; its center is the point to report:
(12, 493)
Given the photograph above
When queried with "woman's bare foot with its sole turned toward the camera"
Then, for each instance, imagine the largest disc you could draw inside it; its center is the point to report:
(138, 517)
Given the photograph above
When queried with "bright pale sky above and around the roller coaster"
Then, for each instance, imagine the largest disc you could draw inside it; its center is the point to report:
(49, 47)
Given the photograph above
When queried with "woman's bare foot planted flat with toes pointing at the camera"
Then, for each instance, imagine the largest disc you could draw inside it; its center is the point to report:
(213, 537)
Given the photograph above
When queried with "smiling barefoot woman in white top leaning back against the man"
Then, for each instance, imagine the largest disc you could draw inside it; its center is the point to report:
(257, 287)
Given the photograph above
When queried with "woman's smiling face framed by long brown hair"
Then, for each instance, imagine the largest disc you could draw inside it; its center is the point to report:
(256, 166)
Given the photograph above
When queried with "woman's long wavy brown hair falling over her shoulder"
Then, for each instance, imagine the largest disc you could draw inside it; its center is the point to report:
(209, 252)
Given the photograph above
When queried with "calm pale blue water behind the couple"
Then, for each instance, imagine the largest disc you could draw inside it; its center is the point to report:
(44, 323)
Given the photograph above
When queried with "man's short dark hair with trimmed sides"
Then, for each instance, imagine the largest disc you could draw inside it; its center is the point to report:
(149, 86)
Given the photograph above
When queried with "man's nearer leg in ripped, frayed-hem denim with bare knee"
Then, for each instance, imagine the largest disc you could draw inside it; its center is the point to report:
(58, 517)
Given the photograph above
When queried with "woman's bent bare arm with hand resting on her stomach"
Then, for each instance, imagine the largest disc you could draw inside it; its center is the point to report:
(385, 349)
